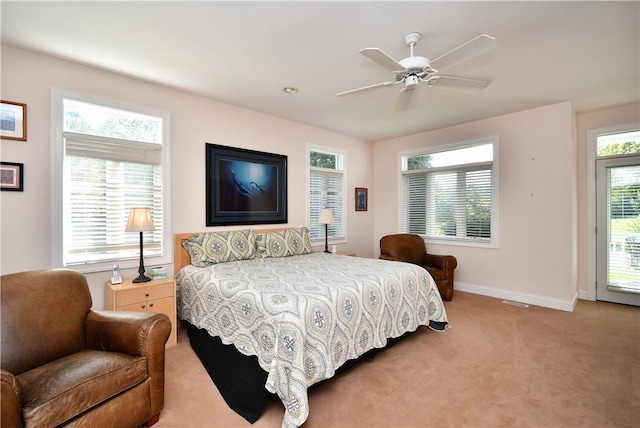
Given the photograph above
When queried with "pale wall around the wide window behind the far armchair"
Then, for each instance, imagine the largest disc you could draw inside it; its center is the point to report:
(536, 258)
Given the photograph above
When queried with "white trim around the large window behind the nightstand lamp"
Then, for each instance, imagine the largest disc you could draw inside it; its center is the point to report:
(57, 162)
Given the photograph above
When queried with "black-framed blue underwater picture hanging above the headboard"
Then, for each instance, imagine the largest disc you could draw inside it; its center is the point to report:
(245, 186)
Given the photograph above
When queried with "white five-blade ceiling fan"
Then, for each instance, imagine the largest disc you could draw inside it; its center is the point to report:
(414, 70)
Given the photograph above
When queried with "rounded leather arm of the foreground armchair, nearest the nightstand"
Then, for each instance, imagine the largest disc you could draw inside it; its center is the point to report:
(134, 333)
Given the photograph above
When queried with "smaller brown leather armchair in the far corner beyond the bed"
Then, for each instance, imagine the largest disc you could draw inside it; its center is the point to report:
(406, 247)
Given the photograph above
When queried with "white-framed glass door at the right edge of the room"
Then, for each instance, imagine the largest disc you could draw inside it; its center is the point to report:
(618, 229)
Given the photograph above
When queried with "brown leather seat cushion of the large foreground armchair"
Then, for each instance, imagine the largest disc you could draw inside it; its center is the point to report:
(60, 390)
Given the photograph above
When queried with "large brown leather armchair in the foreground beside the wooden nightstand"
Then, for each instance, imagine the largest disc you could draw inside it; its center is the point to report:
(63, 364)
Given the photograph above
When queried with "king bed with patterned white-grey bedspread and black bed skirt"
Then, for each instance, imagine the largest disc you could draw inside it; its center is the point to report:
(268, 315)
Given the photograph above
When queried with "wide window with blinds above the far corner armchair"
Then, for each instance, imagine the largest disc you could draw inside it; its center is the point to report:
(450, 195)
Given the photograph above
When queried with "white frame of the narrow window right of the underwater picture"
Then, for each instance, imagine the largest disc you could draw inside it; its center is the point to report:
(343, 200)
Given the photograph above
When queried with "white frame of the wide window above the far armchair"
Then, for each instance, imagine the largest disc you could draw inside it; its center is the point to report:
(456, 241)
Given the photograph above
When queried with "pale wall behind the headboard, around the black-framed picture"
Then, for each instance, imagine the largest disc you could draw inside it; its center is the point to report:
(25, 217)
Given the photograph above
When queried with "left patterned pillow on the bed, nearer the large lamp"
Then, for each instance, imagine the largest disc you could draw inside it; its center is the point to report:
(209, 248)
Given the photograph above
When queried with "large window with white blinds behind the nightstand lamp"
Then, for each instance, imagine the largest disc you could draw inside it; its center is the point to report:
(108, 159)
